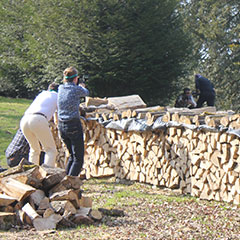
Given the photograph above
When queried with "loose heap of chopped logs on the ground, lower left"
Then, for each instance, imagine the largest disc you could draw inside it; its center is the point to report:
(43, 198)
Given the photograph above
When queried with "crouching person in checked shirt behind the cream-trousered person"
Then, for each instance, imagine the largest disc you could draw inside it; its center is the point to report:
(18, 150)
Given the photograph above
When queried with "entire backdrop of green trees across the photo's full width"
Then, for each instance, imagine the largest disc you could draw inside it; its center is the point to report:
(146, 47)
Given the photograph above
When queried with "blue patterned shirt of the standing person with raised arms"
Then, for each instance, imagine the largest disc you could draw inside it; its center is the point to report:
(69, 97)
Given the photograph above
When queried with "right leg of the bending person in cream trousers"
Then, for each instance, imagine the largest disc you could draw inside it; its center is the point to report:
(43, 133)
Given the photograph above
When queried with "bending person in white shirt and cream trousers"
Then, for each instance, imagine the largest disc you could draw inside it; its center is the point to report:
(35, 126)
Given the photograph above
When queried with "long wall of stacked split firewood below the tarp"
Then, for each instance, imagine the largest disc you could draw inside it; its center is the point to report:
(203, 163)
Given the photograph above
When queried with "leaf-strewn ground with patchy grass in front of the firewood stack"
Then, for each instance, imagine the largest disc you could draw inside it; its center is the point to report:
(150, 213)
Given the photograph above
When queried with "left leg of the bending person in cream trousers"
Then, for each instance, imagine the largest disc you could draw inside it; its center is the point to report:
(31, 138)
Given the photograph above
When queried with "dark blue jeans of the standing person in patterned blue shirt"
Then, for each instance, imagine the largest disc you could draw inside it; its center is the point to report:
(72, 135)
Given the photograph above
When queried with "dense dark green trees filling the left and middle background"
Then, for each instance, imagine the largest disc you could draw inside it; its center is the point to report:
(127, 47)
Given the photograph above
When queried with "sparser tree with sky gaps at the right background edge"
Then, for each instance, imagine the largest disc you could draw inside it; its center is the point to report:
(215, 28)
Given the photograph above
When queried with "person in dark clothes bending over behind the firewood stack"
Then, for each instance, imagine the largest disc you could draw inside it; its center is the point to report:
(205, 89)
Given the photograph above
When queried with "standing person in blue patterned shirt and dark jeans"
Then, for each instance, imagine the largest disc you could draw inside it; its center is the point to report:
(69, 124)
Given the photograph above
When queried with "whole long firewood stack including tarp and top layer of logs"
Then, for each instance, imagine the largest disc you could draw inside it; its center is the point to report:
(197, 151)
